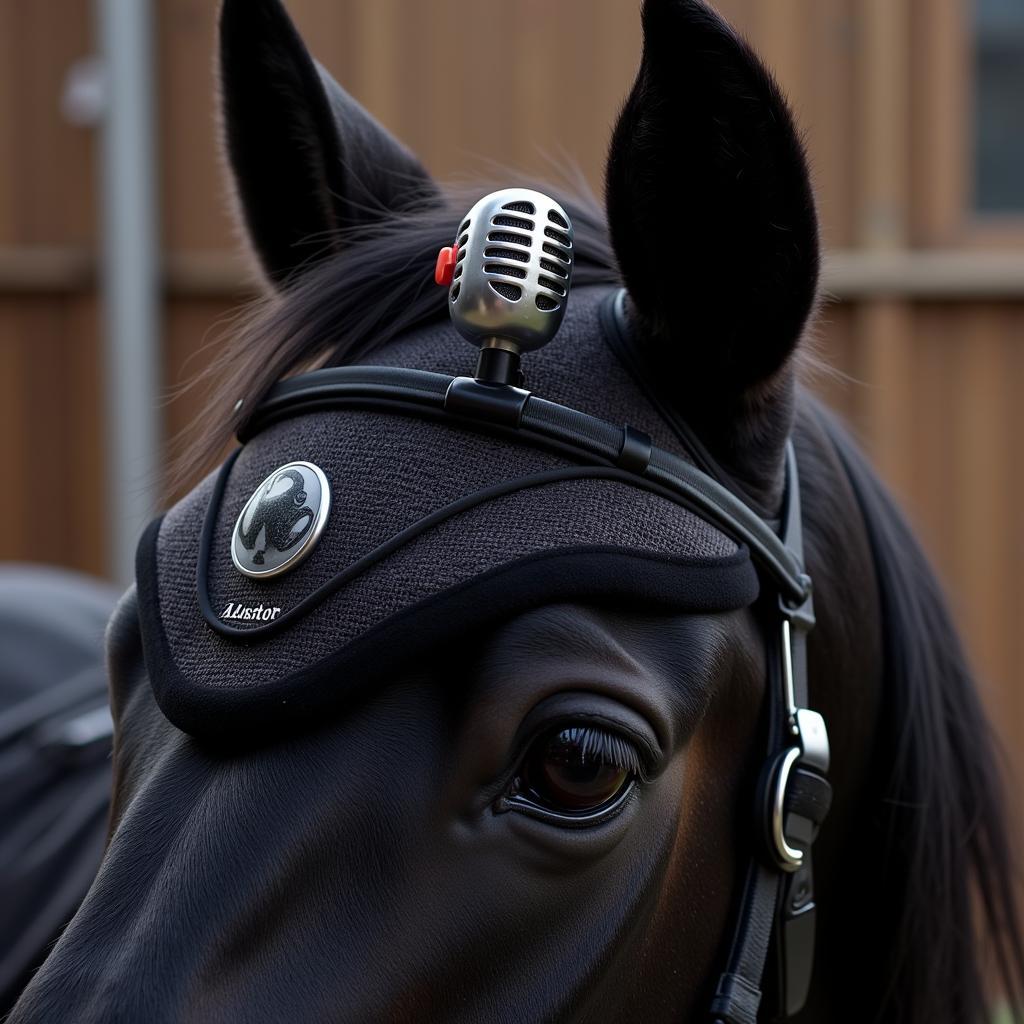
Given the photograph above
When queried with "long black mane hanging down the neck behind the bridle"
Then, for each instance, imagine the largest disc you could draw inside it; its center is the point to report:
(936, 879)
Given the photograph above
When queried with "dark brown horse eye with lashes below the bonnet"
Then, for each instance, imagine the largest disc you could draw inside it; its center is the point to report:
(577, 770)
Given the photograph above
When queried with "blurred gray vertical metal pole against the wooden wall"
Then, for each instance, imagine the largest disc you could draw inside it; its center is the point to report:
(131, 277)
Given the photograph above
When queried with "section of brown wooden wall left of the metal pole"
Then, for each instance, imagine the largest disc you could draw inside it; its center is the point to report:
(50, 385)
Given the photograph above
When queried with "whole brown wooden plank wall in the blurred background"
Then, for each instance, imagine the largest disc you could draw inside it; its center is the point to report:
(880, 87)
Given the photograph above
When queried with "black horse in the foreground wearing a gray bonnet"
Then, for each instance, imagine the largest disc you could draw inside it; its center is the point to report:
(507, 769)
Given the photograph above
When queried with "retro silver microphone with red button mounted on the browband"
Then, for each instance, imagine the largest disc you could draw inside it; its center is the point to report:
(508, 277)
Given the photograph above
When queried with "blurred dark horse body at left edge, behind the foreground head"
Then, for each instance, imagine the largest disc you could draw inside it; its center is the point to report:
(55, 758)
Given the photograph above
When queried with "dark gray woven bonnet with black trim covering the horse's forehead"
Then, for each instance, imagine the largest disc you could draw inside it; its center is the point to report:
(436, 532)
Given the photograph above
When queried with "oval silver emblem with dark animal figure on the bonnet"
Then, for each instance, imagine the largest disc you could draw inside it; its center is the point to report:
(283, 521)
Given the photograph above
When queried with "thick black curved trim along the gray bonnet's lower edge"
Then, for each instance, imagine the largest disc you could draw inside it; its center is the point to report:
(246, 713)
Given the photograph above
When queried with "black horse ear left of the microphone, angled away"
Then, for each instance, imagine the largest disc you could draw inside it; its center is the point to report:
(309, 162)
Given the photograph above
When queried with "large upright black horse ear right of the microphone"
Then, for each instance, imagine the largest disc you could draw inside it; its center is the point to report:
(711, 209)
